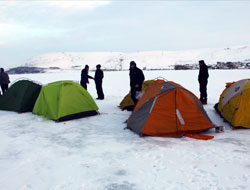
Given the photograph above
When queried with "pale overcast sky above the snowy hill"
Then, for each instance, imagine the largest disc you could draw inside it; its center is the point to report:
(29, 28)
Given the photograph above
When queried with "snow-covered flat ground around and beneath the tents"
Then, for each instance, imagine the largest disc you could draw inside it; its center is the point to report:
(96, 153)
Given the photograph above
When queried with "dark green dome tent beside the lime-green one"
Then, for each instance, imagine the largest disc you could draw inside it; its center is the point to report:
(20, 97)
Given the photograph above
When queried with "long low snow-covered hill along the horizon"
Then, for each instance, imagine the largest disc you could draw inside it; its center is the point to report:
(148, 60)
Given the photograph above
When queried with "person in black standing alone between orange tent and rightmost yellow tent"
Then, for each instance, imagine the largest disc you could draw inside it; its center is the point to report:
(203, 79)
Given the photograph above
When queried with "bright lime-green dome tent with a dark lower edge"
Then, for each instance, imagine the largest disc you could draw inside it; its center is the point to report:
(64, 100)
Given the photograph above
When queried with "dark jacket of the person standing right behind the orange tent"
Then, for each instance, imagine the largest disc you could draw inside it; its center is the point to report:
(136, 77)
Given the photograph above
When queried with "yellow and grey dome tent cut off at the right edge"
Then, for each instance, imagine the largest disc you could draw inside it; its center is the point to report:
(234, 103)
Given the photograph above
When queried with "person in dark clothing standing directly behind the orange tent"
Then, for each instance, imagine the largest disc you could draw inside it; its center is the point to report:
(136, 79)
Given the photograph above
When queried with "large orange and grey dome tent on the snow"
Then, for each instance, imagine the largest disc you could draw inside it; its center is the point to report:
(168, 109)
